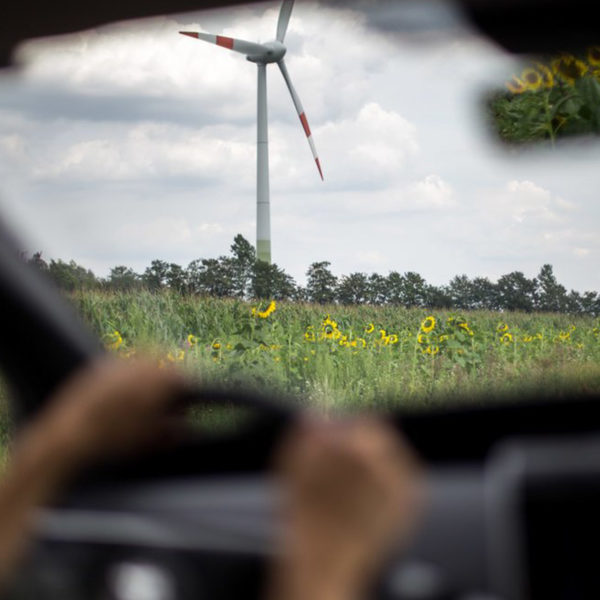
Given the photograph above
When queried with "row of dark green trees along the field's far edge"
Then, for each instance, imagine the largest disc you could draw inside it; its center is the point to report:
(241, 275)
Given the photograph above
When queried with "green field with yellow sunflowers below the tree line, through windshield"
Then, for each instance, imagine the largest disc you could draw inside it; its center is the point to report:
(339, 357)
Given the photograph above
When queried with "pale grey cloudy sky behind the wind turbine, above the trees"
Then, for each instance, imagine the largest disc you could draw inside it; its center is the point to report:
(131, 142)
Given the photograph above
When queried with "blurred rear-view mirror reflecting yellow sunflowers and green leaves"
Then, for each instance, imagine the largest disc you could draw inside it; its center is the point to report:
(551, 98)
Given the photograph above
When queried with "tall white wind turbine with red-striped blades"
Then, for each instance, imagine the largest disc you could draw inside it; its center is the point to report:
(262, 55)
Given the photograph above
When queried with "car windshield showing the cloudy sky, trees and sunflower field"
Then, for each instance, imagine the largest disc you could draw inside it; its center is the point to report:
(429, 264)
